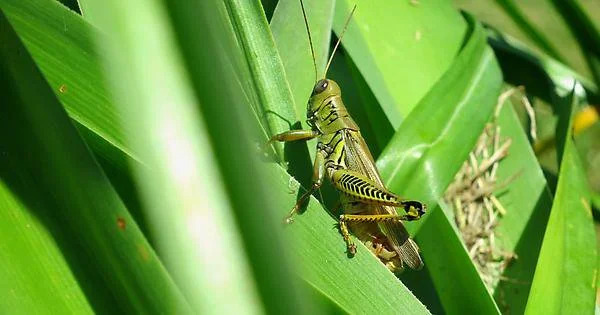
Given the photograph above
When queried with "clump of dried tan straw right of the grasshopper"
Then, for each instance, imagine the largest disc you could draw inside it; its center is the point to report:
(476, 208)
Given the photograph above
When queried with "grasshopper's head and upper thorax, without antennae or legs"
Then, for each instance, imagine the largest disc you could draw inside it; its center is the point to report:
(326, 112)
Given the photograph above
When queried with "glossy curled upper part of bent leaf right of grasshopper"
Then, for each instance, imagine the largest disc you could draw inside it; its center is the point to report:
(417, 160)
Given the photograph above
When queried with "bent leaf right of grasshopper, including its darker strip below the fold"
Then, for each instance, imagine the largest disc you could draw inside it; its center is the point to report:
(429, 147)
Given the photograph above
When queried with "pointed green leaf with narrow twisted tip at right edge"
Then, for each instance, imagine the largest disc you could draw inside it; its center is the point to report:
(566, 273)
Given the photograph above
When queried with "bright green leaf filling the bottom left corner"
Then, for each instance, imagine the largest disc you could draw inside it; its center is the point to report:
(22, 234)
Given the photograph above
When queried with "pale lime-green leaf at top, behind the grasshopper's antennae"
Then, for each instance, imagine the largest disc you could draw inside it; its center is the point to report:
(401, 48)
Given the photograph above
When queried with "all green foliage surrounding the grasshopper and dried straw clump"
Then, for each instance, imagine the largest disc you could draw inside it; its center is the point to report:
(133, 177)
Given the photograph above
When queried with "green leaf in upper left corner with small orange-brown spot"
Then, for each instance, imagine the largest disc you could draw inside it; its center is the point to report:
(49, 30)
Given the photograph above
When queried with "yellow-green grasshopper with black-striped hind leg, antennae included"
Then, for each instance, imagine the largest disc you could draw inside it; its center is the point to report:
(368, 207)
